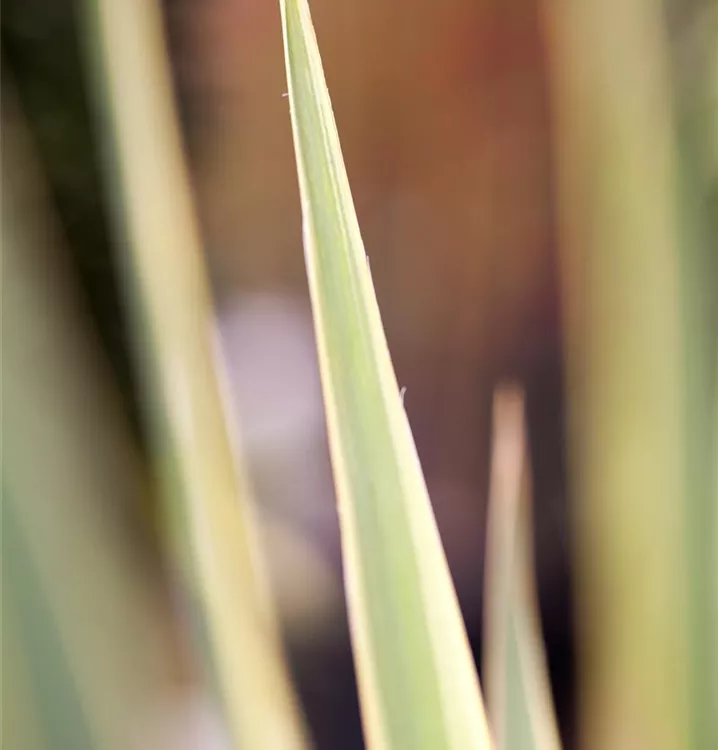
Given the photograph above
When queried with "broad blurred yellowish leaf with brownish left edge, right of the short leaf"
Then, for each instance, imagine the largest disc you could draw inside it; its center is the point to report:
(616, 158)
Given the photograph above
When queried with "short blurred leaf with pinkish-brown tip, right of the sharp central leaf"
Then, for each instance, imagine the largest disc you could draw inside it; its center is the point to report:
(518, 690)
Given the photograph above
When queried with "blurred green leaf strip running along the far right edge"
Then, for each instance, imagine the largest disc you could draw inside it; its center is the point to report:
(693, 44)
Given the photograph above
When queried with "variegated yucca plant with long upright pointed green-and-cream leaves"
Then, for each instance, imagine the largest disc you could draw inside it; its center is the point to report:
(417, 679)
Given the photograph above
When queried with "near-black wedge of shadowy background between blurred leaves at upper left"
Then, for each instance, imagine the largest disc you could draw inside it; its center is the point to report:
(43, 57)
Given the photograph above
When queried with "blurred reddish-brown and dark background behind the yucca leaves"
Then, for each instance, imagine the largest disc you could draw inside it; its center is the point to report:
(446, 124)
